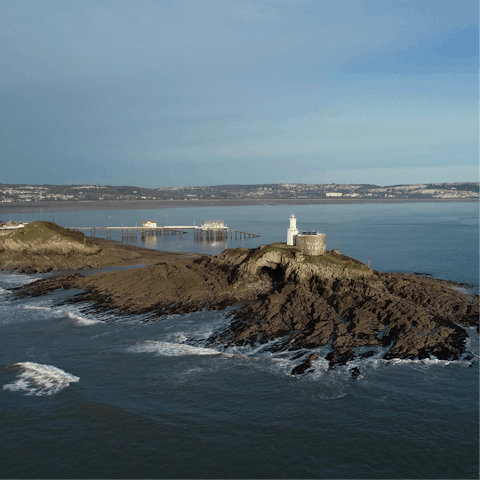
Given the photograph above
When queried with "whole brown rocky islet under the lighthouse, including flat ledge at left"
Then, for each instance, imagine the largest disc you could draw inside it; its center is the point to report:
(302, 302)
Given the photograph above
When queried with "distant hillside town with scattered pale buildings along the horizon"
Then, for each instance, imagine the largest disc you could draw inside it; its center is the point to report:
(17, 193)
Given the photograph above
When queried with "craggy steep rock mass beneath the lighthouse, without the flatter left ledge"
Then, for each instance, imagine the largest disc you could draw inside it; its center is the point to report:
(343, 302)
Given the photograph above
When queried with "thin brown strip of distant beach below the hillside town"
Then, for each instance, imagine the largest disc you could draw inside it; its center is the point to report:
(62, 206)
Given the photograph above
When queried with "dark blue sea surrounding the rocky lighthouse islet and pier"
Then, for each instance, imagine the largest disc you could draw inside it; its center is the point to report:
(97, 396)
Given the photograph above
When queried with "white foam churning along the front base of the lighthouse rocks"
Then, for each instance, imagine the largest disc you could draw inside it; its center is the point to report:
(266, 357)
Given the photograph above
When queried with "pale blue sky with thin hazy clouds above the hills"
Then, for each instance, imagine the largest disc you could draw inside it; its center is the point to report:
(206, 92)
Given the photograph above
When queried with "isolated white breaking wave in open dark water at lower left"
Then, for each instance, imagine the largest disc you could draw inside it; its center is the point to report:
(40, 380)
